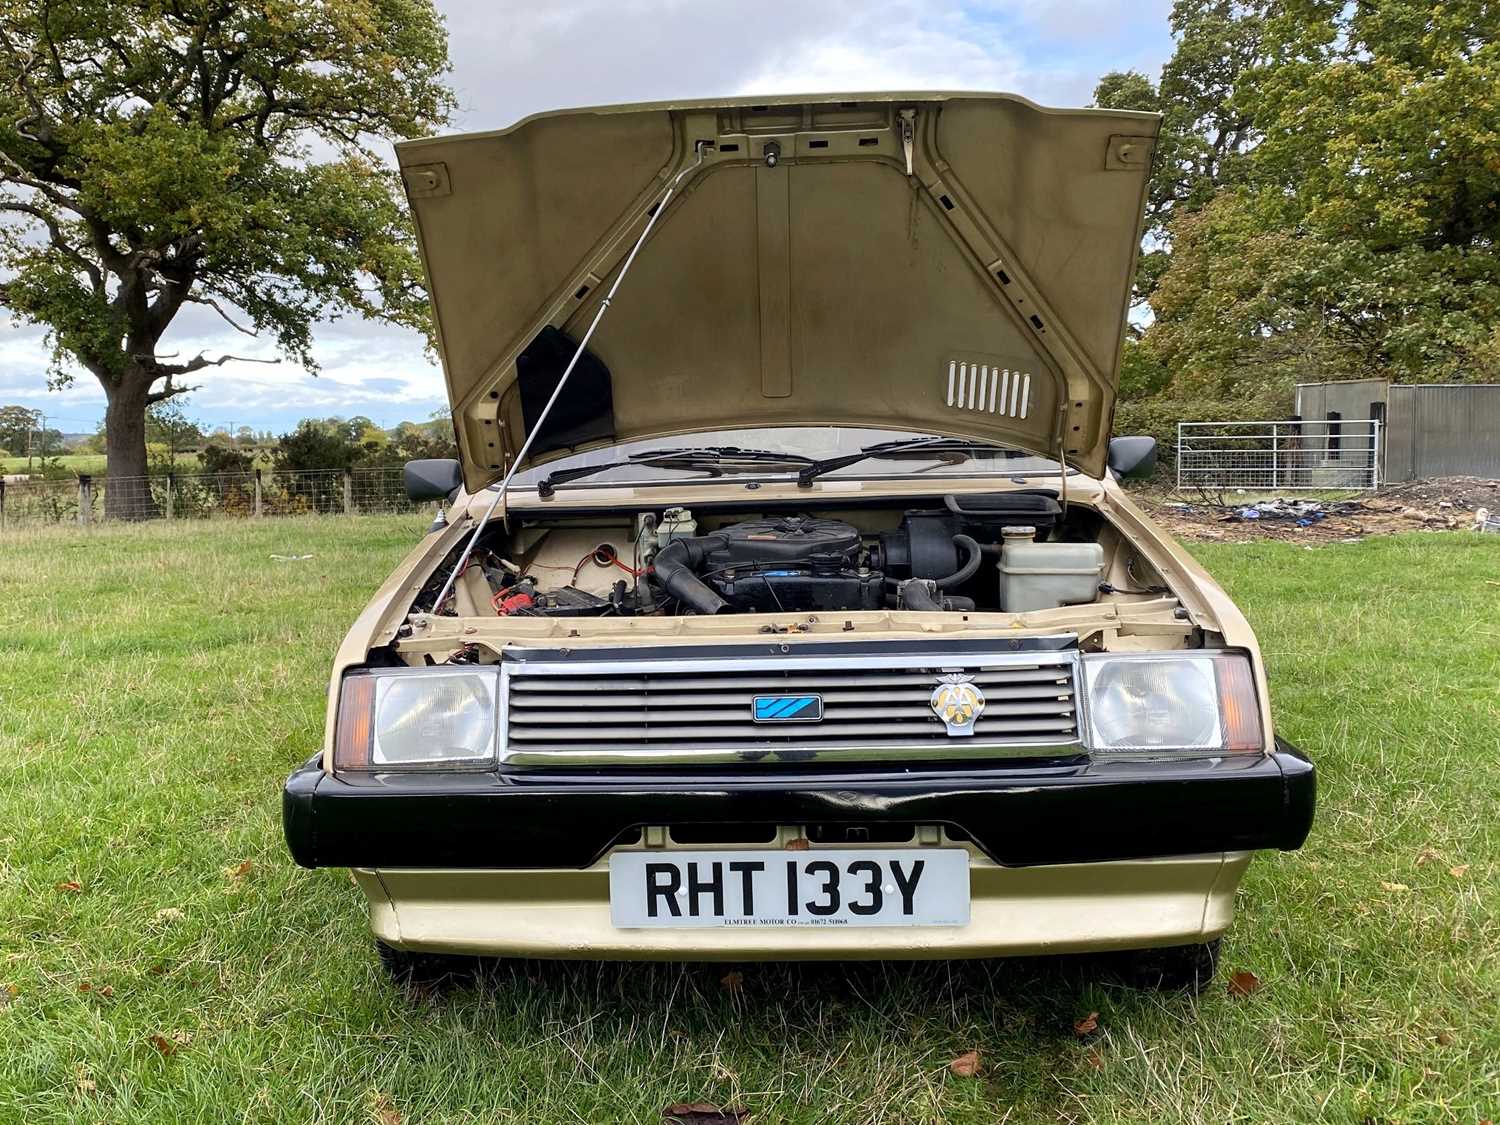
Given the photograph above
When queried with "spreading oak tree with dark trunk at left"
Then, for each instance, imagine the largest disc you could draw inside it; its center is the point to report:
(226, 154)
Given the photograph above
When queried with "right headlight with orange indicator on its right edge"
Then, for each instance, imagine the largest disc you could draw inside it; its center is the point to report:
(1199, 701)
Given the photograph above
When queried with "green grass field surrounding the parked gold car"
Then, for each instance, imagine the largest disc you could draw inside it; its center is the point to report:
(157, 685)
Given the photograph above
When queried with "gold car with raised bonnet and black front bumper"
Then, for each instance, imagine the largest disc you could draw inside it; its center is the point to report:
(793, 610)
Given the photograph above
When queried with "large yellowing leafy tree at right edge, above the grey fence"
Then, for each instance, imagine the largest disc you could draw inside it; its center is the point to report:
(1364, 238)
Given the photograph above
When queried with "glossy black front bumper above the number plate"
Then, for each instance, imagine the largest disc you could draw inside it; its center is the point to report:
(1018, 817)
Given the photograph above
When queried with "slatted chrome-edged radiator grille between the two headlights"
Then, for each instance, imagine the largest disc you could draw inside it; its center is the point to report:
(703, 712)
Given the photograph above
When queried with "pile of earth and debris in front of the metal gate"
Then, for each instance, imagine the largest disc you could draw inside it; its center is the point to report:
(1448, 505)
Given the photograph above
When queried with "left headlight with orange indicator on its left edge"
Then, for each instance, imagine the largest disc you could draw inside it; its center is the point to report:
(442, 718)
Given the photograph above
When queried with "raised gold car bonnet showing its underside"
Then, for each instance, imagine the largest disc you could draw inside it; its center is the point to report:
(944, 263)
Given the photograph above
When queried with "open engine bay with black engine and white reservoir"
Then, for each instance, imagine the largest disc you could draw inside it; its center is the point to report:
(977, 553)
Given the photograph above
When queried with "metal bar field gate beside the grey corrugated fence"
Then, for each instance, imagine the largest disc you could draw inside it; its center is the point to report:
(1279, 457)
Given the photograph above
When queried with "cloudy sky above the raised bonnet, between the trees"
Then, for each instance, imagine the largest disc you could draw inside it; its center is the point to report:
(575, 53)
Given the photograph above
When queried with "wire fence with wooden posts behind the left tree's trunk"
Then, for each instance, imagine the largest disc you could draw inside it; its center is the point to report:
(205, 496)
